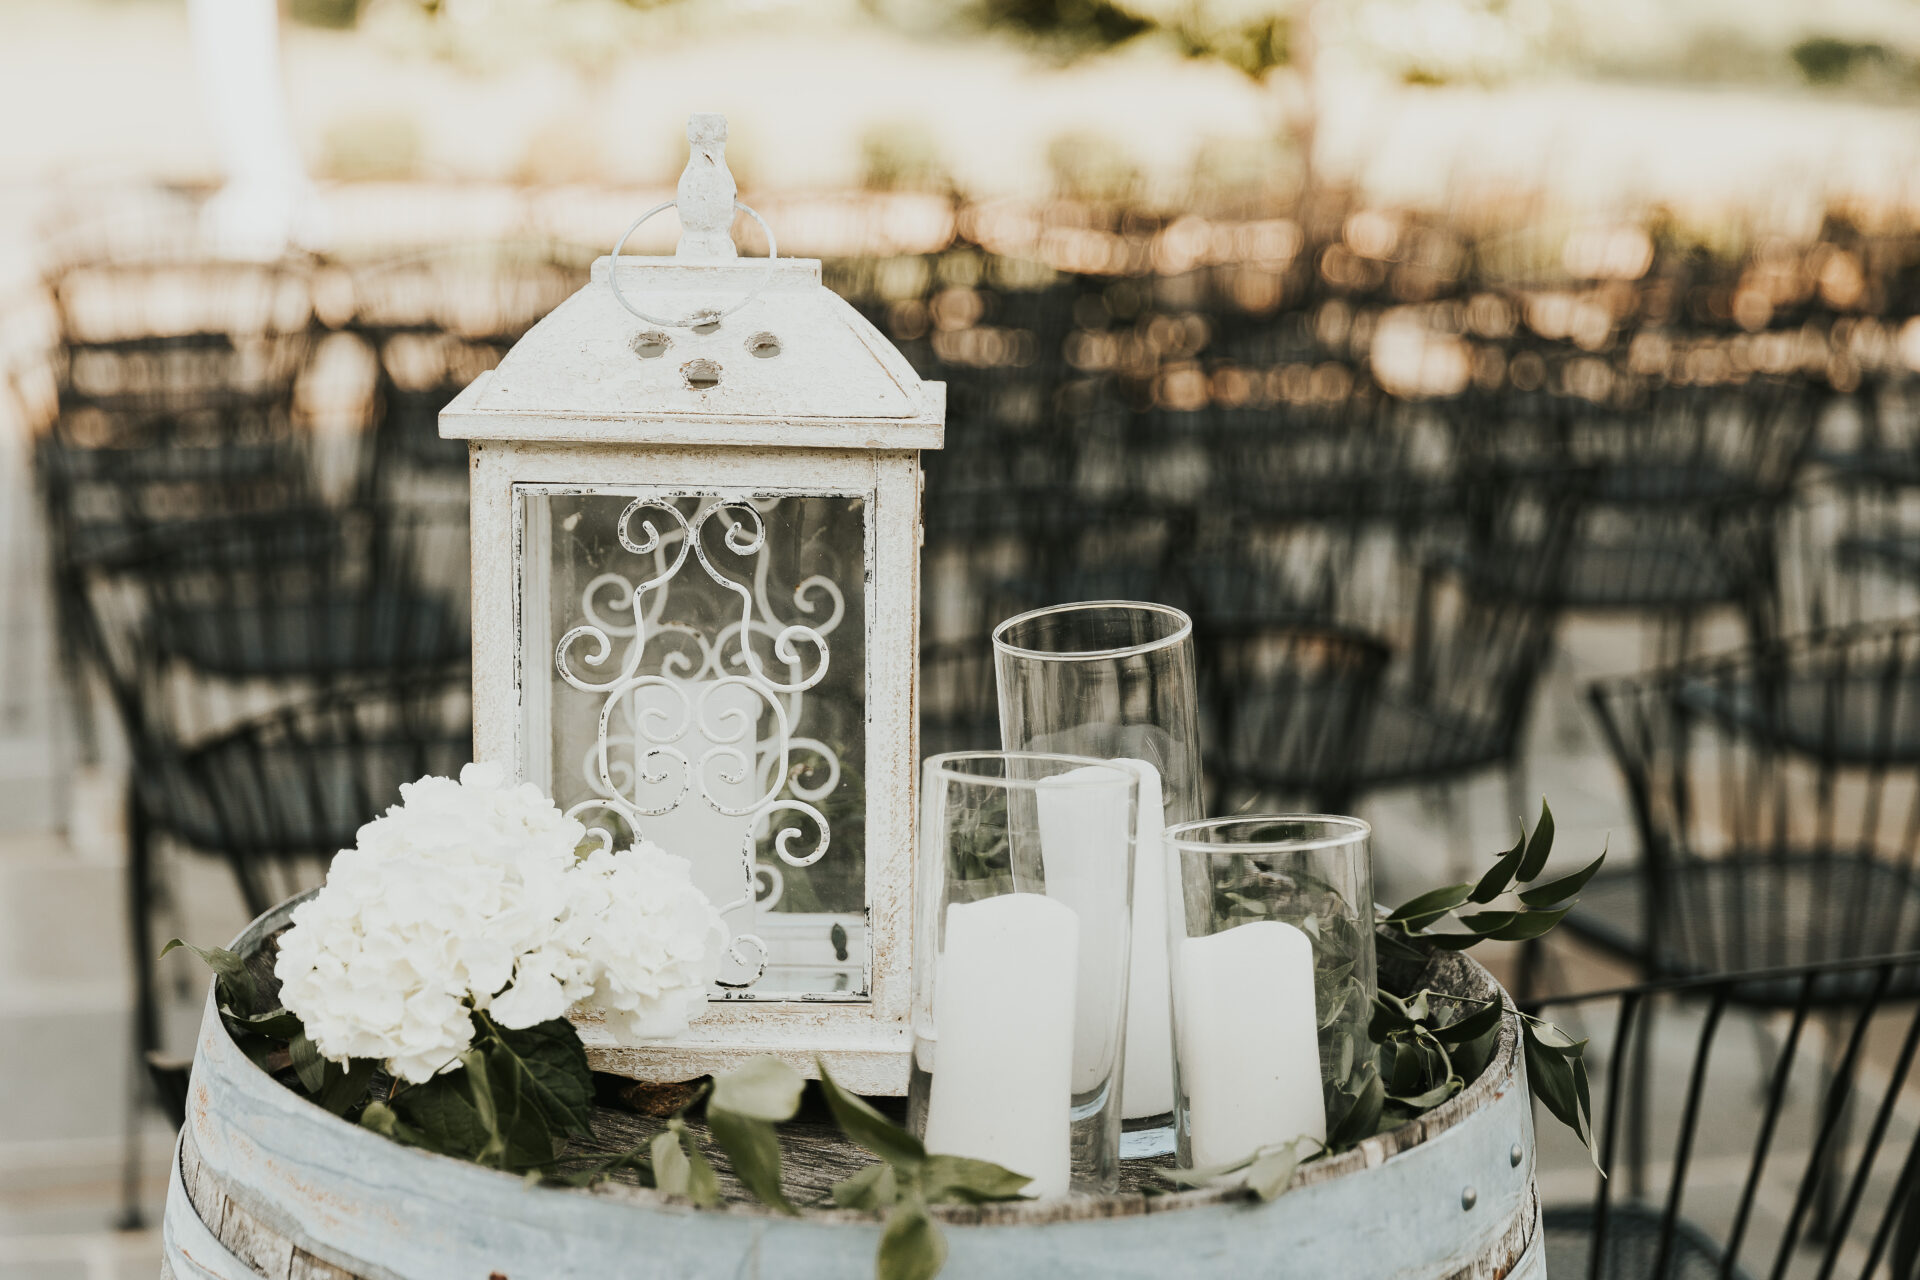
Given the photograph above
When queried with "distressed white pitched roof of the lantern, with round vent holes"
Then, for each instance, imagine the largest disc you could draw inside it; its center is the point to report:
(796, 366)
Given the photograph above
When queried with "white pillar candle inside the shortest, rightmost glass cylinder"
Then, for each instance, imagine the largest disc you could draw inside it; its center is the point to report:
(1249, 1041)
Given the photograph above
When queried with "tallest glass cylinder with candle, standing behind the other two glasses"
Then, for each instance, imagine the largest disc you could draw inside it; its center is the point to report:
(1116, 680)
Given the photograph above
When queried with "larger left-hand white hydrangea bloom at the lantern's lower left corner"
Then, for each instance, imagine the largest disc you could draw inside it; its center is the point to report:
(446, 903)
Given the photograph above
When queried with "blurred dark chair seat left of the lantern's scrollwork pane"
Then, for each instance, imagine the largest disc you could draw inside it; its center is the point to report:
(337, 632)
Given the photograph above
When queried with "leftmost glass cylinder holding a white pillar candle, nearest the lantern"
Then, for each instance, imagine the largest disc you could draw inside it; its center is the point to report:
(1020, 964)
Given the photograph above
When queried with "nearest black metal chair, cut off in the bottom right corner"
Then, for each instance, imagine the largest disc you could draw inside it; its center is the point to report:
(1760, 1173)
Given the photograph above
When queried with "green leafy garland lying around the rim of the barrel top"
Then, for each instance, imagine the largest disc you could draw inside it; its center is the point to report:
(521, 1097)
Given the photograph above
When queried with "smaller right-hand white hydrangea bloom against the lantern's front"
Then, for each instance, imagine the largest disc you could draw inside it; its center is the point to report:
(654, 939)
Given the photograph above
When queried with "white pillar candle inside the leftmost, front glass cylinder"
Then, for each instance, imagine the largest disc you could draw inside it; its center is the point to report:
(1003, 1026)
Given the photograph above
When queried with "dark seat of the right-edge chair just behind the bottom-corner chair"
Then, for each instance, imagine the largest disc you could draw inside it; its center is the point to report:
(1758, 913)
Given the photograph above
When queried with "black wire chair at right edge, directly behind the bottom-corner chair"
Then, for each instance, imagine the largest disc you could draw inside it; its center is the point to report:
(1777, 795)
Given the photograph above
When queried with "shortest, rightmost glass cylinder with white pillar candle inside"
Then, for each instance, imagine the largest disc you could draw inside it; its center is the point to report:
(1274, 982)
